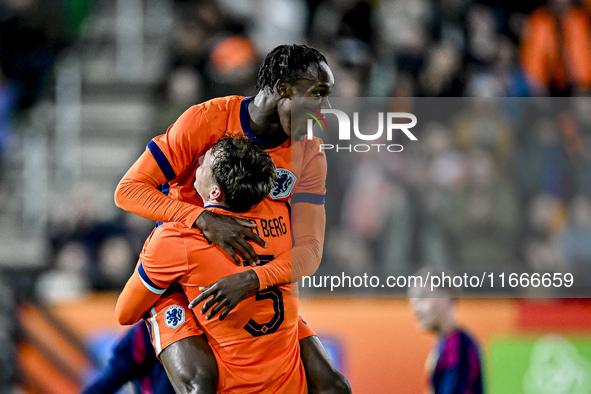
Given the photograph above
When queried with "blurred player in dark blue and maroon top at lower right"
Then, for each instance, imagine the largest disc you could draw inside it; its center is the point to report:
(454, 363)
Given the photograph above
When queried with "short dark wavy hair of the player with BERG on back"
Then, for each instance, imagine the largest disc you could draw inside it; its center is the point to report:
(243, 170)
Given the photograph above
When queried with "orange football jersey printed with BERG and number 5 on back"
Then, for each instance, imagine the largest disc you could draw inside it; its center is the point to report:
(256, 346)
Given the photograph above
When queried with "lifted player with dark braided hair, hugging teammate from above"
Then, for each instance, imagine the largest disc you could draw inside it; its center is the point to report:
(170, 161)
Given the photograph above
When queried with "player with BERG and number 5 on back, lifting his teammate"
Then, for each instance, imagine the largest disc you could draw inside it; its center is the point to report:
(257, 349)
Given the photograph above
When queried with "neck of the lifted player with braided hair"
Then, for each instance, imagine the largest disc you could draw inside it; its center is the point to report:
(263, 118)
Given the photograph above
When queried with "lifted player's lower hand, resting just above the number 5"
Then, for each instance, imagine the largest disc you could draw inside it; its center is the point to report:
(226, 292)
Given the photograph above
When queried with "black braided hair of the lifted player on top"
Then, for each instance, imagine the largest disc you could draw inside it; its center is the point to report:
(285, 62)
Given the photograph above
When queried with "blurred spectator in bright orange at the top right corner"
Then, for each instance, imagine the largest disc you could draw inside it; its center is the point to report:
(556, 49)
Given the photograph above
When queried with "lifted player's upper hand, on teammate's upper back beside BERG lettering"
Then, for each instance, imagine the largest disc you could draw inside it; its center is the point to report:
(231, 234)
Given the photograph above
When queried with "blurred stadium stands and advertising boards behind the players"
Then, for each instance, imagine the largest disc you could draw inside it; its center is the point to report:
(85, 84)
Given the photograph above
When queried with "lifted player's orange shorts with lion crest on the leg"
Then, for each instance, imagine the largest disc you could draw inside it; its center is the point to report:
(171, 320)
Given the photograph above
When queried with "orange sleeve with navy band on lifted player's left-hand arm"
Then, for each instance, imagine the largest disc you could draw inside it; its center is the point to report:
(171, 159)
